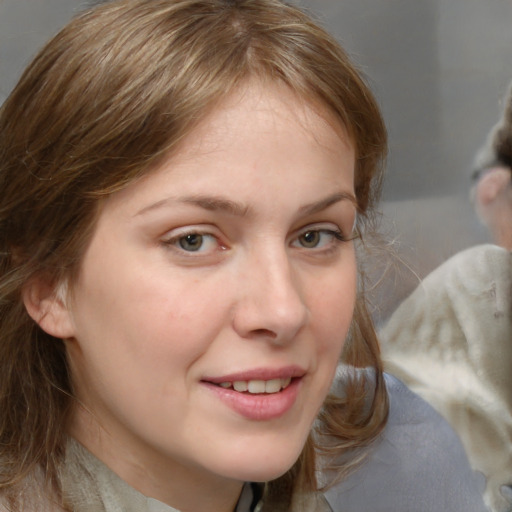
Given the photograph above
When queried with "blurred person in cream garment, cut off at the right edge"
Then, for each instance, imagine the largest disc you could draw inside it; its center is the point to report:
(450, 340)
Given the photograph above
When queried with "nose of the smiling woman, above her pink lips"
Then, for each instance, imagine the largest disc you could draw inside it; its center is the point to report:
(270, 304)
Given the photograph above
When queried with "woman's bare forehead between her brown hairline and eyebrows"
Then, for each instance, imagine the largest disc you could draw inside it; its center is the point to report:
(258, 137)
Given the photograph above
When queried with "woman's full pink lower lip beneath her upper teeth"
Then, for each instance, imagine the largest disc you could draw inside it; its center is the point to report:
(259, 407)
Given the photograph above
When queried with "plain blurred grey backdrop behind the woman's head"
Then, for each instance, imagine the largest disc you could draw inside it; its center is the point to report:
(440, 70)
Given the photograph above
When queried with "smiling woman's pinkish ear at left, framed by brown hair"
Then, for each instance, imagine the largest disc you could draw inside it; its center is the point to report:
(47, 305)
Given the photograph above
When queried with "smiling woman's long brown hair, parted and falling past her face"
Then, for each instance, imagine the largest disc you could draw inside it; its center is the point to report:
(116, 90)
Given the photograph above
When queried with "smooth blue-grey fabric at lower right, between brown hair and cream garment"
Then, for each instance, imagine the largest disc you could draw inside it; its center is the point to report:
(418, 464)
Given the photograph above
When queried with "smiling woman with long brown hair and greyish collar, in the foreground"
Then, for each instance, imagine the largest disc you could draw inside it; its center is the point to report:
(181, 182)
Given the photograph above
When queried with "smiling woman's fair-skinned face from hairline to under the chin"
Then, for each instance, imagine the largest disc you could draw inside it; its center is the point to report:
(214, 299)
